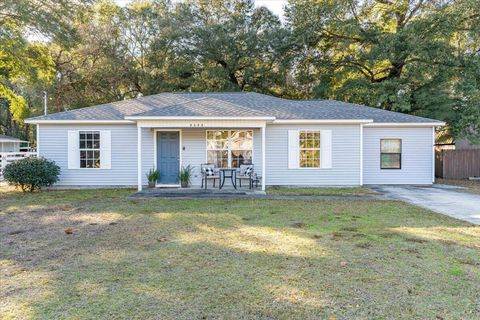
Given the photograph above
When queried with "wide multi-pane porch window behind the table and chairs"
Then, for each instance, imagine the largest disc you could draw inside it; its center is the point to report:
(229, 148)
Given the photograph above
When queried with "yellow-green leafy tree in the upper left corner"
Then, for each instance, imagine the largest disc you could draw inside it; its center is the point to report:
(25, 63)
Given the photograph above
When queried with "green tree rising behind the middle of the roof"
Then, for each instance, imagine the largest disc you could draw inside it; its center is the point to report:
(236, 46)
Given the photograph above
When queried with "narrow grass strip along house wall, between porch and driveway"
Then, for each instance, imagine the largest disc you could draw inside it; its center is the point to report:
(324, 191)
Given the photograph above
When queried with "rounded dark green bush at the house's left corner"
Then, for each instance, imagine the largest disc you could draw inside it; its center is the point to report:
(31, 174)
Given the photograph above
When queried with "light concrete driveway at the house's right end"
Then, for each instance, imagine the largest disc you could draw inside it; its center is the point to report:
(443, 199)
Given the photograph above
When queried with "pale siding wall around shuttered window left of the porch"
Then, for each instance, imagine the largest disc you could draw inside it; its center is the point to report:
(123, 149)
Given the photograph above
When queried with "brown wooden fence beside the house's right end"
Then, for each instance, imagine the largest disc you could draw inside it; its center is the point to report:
(457, 164)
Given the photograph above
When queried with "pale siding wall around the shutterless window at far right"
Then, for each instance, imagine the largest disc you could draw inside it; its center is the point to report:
(416, 156)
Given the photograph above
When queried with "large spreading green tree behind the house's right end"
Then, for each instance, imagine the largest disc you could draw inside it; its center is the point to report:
(412, 56)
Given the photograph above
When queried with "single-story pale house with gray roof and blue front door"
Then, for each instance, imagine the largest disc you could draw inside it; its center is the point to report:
(290, 142)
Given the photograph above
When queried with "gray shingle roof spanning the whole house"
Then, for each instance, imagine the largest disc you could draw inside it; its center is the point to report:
(234, 104)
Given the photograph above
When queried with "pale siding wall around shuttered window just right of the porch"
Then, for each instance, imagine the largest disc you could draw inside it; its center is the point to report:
(341, 159)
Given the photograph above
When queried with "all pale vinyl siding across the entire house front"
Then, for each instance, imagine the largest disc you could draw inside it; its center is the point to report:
(344, 166)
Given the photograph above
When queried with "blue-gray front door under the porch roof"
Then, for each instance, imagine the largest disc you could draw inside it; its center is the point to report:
(168, 157)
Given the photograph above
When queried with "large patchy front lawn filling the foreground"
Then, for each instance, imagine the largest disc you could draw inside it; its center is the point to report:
(248, 258)
